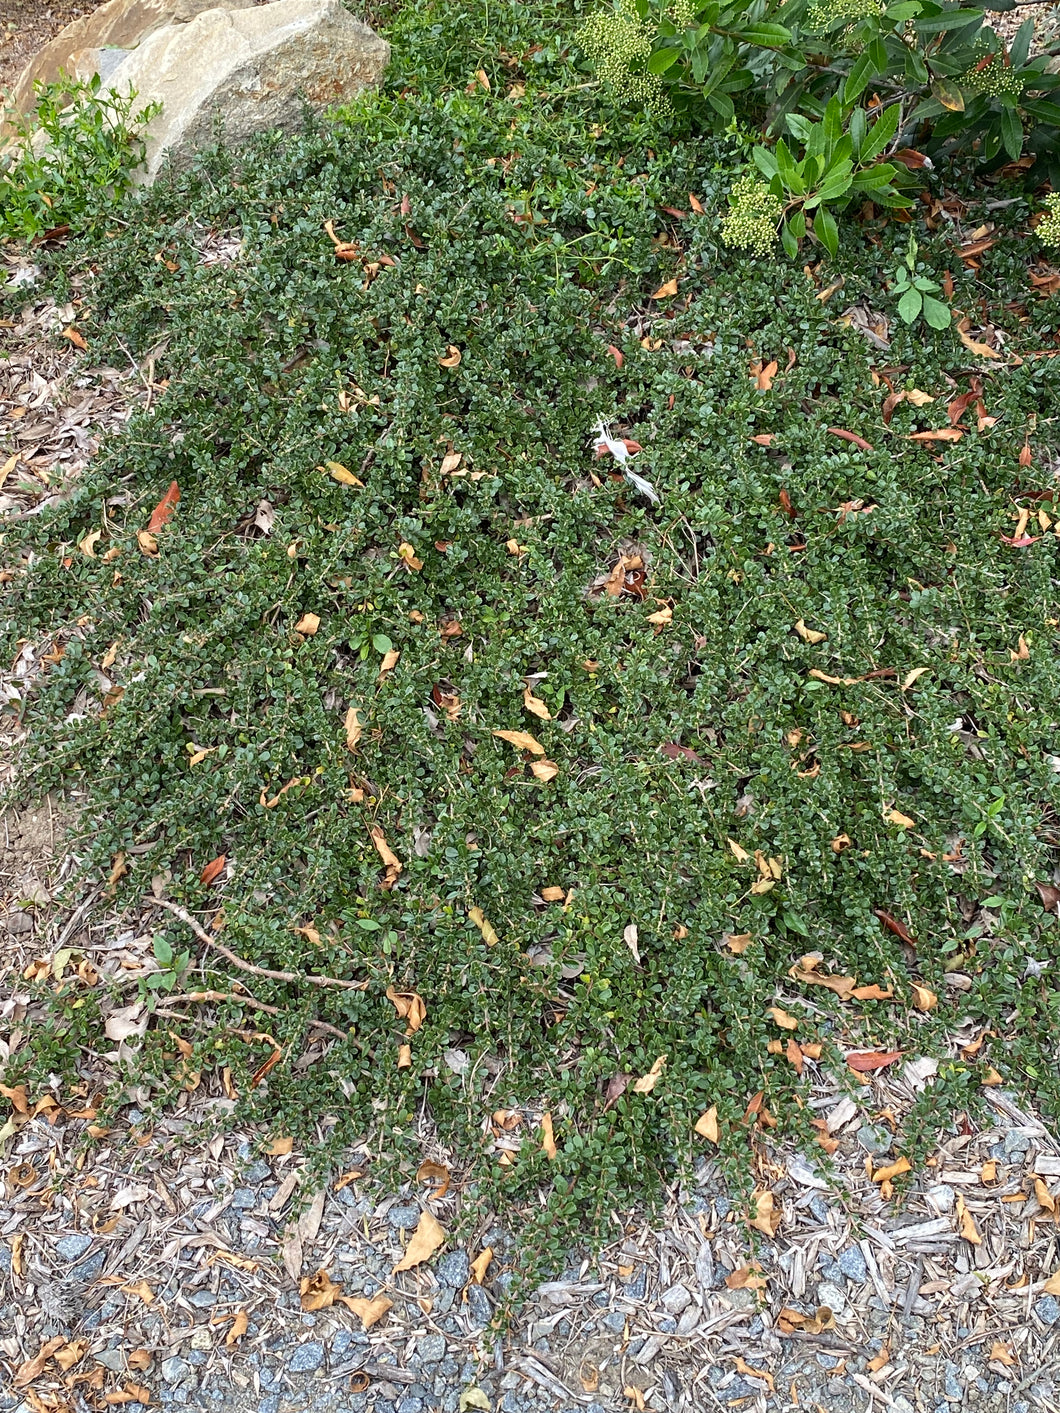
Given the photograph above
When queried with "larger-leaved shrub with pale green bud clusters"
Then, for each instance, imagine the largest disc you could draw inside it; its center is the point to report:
(813, 76)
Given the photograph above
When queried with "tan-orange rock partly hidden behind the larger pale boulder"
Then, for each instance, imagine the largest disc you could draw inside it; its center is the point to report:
(121, 25)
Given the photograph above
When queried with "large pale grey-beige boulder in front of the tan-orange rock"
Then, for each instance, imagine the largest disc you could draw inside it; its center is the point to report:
(244, 73)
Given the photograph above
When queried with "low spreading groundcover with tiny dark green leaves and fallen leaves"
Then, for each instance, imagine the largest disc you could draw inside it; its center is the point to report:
(805, 704)
